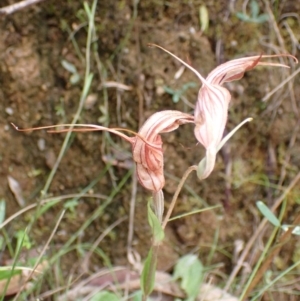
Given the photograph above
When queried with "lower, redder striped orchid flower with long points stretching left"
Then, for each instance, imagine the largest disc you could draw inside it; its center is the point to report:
(146, 144)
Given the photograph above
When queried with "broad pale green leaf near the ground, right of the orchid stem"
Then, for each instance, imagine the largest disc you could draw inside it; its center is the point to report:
(190, 270)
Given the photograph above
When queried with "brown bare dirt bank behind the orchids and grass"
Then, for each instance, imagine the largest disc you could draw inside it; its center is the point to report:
(35, 90)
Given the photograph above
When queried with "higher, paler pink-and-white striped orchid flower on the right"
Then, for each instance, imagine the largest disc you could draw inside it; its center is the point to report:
(213, 100)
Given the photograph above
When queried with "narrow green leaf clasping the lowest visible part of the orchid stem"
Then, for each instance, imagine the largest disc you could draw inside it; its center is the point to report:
(148, 273)
